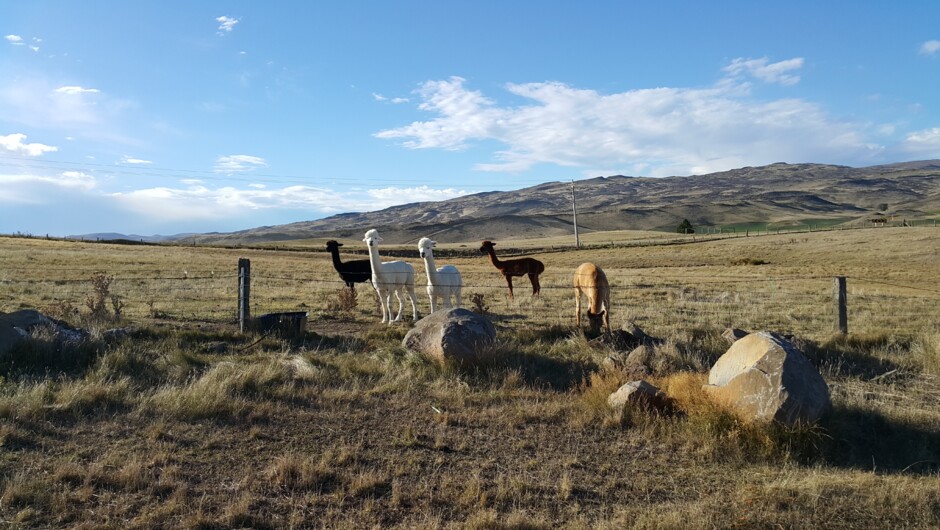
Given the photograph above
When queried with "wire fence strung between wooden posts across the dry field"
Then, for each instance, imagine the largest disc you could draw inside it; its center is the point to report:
(802, 305)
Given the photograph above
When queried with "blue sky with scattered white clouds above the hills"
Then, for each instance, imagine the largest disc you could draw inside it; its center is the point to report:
(166, 117)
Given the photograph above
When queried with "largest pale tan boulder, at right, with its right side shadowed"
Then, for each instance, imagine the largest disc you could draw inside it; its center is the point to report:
(765, 377)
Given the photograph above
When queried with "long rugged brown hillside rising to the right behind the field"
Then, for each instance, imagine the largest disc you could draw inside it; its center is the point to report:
(776, 195)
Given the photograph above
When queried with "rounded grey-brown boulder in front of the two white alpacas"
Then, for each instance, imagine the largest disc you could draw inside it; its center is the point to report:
(456, 335)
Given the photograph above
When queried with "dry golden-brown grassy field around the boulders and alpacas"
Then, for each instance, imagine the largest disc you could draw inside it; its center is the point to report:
(184, 423)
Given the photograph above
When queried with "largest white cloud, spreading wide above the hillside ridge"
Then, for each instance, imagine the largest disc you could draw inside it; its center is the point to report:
(668, 131)
